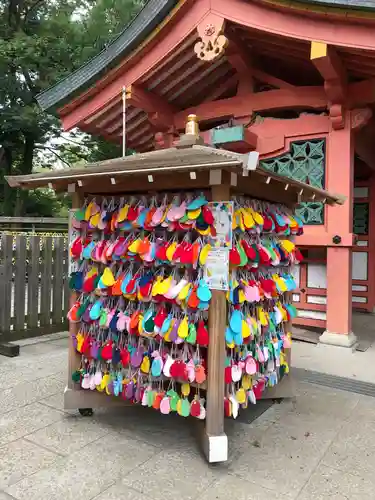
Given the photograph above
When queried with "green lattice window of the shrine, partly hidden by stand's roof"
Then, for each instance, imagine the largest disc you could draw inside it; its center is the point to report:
(304, 162)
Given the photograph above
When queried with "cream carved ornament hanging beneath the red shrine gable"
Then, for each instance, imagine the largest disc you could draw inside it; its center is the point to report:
(213, 42)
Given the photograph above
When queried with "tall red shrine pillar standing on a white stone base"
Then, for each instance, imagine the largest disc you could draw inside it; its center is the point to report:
(340, 179)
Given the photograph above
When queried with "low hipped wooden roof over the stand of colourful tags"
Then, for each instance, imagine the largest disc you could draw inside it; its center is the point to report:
(170, 169)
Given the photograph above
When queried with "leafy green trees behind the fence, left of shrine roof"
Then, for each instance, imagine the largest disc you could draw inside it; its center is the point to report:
(42, 41)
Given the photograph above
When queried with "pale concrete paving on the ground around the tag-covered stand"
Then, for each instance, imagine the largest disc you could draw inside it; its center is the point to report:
(319, 446)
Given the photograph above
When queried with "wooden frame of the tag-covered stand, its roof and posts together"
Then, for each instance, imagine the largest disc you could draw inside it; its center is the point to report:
(223, 173)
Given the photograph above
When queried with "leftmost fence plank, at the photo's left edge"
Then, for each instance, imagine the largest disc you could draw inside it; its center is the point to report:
(6, 269)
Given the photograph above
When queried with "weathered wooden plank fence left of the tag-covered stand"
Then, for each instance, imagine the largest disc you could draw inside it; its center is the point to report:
(34, 291)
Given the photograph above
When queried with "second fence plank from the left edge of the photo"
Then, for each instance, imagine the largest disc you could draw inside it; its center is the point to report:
(20, 283)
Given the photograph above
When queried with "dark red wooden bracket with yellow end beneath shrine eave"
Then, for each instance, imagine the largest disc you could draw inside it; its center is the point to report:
(328, 63)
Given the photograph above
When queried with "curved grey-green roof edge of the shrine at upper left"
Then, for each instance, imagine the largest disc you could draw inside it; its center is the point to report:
(152, 14)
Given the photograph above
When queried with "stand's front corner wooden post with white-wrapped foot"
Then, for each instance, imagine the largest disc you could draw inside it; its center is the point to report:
(215, 443)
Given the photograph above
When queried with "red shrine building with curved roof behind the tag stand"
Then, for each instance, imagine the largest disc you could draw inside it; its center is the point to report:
(294, 81)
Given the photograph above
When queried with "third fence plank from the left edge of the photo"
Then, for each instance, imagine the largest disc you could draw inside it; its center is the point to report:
(33, 286)
